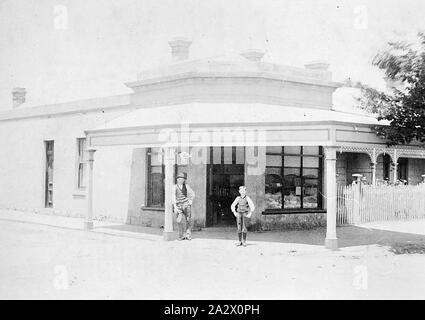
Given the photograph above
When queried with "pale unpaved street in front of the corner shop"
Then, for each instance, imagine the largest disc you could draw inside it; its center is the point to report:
(42, 262)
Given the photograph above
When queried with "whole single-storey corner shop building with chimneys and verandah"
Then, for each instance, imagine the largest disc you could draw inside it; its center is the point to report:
(225, 121)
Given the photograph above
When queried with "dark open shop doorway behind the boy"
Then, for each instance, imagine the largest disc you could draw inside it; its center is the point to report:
(225, 173)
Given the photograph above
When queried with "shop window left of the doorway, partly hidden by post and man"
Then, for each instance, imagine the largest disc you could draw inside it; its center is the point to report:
(156, 175)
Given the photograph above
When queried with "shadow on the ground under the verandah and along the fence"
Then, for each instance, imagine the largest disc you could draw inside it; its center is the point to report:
(348, 236)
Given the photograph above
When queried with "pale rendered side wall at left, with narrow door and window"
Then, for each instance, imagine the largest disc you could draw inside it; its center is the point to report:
(22, 166)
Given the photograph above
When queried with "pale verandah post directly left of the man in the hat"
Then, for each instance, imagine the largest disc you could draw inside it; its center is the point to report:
(169, 159)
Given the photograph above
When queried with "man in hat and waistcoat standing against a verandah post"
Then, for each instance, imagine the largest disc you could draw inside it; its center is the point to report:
(182, 198)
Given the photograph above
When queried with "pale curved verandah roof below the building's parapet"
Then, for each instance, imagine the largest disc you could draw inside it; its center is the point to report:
(229, 114)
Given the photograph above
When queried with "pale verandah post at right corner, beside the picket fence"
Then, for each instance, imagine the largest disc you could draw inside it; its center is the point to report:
(331, 241)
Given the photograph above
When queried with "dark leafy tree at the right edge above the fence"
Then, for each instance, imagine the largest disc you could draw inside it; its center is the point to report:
(404, 105)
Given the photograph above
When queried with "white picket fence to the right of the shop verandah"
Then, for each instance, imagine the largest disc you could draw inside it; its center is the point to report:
(365, 203)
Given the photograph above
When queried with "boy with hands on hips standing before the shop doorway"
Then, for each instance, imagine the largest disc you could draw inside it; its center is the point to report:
(244, 210)
